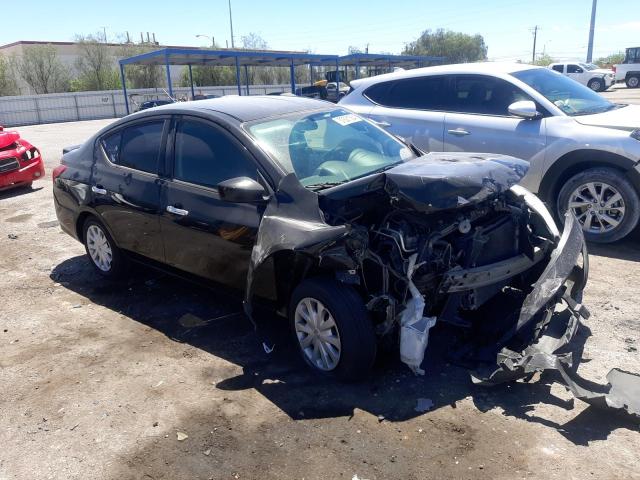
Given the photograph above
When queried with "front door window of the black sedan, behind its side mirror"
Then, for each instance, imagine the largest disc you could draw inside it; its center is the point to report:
(206, 156)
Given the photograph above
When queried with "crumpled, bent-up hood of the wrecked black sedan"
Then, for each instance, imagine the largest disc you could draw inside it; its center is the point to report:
(439, 181)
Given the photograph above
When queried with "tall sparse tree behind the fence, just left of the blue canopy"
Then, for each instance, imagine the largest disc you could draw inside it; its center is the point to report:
(95, 65)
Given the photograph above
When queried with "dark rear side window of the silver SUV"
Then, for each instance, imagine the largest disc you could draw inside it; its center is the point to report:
(421, 93)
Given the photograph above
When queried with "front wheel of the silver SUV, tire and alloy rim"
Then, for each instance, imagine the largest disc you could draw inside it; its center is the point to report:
(604, 201)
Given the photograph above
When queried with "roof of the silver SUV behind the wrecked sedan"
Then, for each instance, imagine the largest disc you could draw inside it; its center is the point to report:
(500, 68)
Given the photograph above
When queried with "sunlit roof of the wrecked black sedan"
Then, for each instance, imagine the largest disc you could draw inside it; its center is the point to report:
(249, 108)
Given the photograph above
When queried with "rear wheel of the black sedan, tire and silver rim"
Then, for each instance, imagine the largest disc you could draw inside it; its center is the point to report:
(107, 259)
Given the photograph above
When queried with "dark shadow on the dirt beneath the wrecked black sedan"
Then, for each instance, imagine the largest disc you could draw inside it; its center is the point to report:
(212, 321)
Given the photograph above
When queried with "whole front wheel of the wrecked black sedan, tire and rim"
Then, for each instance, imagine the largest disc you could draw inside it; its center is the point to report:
(342, 343)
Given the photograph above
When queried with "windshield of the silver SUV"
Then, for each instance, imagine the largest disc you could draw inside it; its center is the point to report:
(567, 94)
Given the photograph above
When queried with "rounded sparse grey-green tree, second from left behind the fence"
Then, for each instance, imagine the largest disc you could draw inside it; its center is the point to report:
(41, 69)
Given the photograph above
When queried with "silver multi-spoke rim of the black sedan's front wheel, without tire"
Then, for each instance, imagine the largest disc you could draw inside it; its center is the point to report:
(317, 334)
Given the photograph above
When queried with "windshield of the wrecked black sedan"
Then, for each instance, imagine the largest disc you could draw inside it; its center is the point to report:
(329, 147)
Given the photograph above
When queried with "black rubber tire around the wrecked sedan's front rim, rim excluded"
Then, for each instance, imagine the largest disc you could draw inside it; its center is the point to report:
(355, 329)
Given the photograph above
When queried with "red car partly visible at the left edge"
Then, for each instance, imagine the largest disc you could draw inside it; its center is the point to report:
(20, 162)
